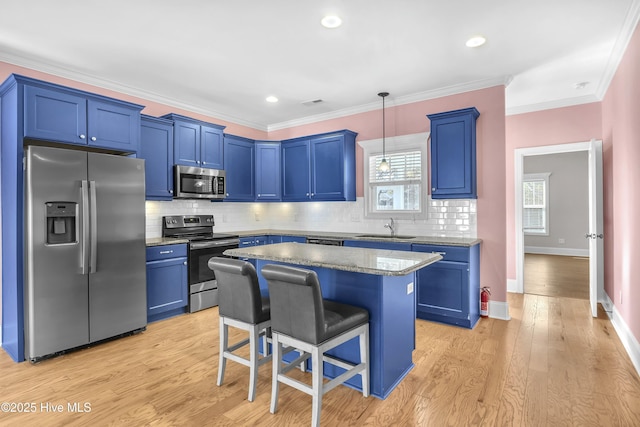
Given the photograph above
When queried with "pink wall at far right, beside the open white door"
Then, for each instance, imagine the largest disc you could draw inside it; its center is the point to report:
(621, 132)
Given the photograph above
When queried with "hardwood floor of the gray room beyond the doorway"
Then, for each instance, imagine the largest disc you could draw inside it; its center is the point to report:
(556, 275)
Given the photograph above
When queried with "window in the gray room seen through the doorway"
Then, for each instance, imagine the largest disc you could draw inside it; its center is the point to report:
(535, 203)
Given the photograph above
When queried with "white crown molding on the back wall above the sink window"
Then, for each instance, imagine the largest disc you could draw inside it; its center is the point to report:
(401, 100)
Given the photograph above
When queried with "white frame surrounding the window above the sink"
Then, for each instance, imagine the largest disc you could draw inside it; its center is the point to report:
(398, 144)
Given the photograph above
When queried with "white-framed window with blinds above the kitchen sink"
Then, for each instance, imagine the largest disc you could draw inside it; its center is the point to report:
(399, 191)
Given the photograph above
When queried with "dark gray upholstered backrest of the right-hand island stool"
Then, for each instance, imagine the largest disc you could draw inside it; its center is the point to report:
(296, 302)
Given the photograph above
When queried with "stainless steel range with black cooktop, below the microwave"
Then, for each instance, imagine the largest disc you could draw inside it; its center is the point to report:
(203, 244)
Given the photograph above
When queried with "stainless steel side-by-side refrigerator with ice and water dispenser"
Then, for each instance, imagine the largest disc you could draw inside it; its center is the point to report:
(85, 249)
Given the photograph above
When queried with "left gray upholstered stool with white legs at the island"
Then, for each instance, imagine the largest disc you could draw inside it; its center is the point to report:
(242, 306)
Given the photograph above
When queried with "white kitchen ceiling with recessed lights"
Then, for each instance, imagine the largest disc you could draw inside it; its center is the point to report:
(222, 58)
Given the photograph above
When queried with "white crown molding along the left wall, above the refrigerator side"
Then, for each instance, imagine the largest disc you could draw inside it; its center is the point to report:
(119, 87)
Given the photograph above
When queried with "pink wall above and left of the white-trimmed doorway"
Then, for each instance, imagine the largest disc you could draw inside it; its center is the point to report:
(549, 127)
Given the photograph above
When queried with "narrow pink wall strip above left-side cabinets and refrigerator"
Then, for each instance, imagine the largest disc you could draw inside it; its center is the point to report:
(151, 108)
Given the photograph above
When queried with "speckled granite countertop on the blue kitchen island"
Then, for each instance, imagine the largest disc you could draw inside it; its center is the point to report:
(359, 260)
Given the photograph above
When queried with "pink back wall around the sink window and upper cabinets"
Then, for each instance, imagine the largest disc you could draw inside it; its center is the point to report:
(411, 118)
